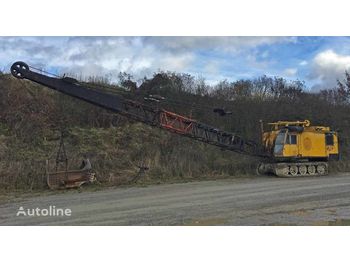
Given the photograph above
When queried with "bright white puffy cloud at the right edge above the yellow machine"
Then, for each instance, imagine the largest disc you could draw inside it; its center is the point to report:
(327, 67)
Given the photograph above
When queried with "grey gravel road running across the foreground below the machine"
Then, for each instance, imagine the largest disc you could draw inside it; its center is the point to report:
(254, 201)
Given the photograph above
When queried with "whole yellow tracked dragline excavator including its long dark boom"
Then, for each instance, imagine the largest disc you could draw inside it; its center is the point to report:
(288, 149)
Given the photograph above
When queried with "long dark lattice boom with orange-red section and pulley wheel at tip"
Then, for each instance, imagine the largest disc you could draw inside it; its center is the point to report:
(137, 111)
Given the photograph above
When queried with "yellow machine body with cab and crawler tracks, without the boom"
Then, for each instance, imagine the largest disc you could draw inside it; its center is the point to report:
(298, 149)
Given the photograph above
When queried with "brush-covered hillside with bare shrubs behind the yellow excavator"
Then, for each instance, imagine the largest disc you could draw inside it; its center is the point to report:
(31, 118)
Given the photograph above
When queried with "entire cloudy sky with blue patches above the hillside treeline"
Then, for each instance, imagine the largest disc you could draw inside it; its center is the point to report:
(318, 61)
